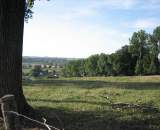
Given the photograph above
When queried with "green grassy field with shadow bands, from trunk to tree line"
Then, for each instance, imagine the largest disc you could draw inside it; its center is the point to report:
(98, 103)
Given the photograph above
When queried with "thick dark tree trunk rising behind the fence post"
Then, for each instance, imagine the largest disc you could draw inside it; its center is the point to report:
(11, 43)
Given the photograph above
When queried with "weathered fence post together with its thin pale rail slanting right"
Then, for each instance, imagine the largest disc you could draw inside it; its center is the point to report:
(11, 116)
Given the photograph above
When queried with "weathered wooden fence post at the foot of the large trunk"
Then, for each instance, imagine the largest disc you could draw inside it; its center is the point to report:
(11, 120)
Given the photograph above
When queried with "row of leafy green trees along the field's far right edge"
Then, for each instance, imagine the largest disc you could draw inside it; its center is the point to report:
(140, 57)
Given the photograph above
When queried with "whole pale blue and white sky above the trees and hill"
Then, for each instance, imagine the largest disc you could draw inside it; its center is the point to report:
(80, 28)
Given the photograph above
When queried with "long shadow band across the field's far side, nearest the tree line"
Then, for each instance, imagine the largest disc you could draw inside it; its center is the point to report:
(95, 84)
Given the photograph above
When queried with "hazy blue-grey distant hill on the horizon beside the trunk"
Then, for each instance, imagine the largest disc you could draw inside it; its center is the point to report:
(46, 60)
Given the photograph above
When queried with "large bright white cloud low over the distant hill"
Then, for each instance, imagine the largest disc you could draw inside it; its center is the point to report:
(67, 40)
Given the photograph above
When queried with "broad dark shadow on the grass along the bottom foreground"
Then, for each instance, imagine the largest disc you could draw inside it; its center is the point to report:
(90, 120)
